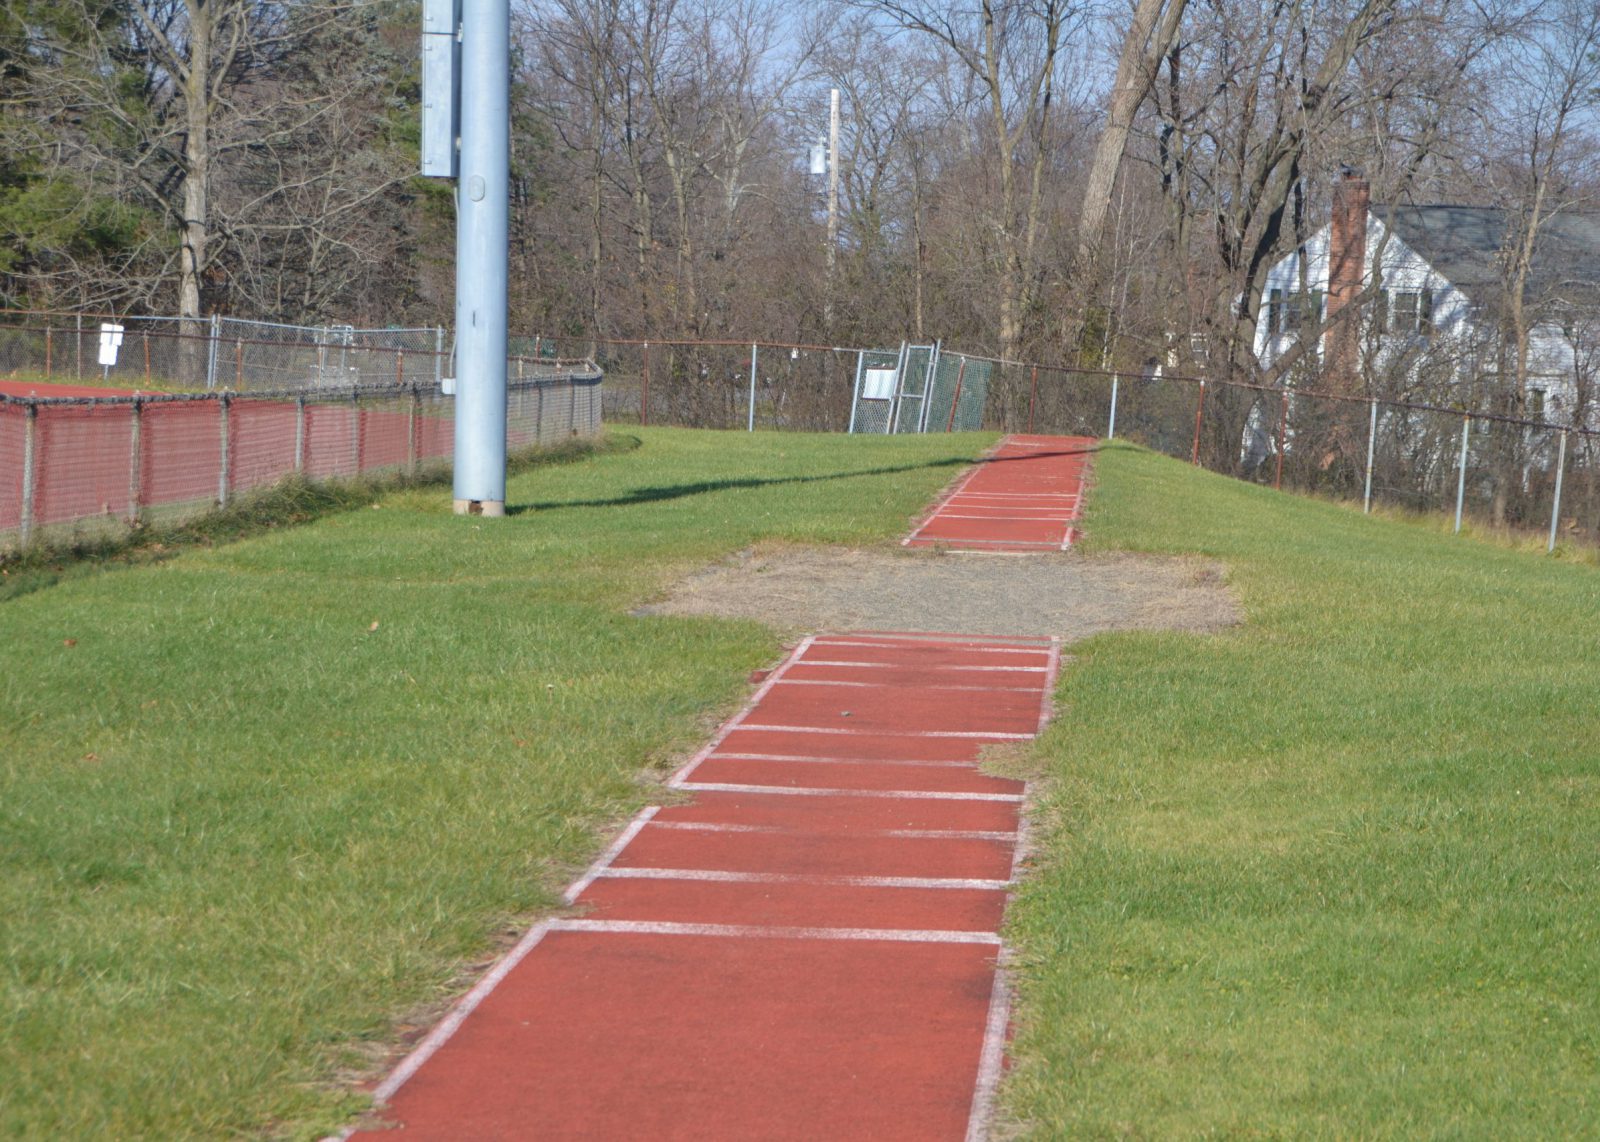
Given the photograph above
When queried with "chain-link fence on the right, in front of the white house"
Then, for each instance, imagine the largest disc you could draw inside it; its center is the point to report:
(1390, 449)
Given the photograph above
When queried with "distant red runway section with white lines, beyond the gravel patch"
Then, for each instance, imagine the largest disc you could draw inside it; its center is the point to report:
(1025, 497)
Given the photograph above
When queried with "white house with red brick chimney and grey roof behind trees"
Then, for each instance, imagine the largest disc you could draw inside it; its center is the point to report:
(1430, 285)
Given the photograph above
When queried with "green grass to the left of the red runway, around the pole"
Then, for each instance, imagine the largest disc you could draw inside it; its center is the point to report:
(262, 804)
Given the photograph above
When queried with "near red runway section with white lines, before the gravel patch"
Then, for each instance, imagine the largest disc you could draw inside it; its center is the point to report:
(804, 949)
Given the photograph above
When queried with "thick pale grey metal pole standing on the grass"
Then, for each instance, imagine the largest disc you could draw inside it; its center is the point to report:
(482, 236)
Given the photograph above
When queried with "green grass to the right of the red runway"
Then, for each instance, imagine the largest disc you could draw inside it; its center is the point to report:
(1337, 872)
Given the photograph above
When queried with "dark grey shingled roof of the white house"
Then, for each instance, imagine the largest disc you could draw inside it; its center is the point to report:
(1465, 246)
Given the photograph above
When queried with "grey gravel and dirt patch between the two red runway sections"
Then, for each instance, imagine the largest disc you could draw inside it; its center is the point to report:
(1052, 594)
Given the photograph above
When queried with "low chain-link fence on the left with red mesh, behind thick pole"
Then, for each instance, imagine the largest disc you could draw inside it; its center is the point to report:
(81, 468)
